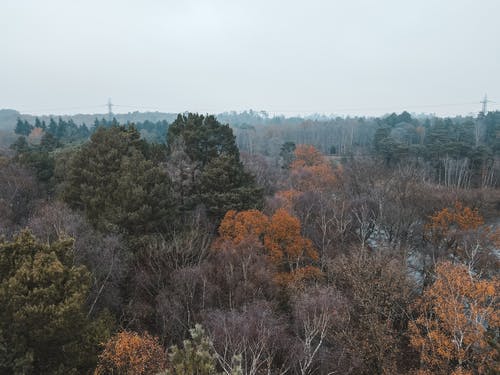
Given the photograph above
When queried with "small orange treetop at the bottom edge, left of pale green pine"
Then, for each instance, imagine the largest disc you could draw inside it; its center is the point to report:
(129, 353)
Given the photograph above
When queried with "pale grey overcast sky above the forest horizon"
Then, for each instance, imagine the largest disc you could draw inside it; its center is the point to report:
(289, 56)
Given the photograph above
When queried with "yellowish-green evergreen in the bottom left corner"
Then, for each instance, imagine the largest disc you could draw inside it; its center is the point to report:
(44, 328)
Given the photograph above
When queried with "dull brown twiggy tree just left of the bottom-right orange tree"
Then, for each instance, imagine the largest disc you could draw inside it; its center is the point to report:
(371, 335)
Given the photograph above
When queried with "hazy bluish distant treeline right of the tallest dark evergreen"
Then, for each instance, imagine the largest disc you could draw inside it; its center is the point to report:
(459, 151)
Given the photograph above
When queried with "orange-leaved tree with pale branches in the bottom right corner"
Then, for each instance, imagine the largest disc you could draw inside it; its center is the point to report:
(457, 317)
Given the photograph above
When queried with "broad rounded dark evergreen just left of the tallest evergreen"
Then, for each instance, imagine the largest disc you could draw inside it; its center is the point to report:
(111, 180)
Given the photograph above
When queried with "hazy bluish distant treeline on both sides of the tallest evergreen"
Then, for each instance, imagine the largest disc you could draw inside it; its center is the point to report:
(458, 151)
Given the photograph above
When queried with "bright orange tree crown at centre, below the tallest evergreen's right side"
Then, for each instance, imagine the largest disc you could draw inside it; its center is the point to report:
(281, 238)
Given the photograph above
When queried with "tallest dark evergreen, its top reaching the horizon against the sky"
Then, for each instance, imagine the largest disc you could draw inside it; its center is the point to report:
(211, 148)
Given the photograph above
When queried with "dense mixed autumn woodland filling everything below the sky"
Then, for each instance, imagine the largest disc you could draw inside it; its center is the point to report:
(267, 246)
